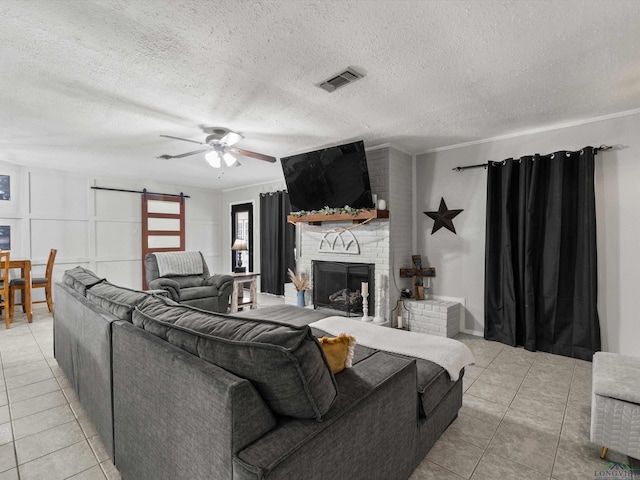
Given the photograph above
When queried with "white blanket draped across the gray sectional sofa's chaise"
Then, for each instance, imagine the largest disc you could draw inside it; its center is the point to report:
(450, 354)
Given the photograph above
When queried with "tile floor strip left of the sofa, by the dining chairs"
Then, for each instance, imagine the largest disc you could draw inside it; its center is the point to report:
(44, 432)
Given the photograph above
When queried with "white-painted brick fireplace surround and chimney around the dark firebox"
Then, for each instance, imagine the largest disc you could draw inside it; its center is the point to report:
(384, 243)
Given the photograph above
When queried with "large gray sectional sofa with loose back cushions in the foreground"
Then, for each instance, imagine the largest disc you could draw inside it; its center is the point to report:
(179, 393)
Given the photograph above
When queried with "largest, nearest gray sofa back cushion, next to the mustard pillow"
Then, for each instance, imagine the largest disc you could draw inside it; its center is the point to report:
(284, 363)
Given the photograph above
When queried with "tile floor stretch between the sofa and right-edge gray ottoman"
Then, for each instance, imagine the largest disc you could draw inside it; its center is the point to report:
(525, 415)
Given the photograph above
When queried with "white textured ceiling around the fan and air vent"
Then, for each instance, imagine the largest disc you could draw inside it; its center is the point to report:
(91, 85)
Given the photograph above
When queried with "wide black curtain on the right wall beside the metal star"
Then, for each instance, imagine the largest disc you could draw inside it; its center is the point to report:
(540, 264)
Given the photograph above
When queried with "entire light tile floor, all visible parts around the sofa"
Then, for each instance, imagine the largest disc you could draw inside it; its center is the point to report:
(525, 416)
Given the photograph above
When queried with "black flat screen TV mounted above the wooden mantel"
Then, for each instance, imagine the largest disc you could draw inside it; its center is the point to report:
(331, 177)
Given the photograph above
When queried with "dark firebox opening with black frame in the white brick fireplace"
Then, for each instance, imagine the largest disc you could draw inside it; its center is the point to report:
(337, 285)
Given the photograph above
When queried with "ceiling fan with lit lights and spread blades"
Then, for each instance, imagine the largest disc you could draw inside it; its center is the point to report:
(218, 144)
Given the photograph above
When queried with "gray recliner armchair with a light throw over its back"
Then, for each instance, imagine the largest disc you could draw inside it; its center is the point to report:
(186, 279)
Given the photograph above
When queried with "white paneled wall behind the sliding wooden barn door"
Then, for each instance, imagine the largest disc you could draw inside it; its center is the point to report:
(93, 228)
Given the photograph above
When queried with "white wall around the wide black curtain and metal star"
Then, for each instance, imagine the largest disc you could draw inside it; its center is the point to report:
(459, 259)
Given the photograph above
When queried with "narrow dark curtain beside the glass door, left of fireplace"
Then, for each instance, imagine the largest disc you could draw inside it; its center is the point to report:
(276, 242)
